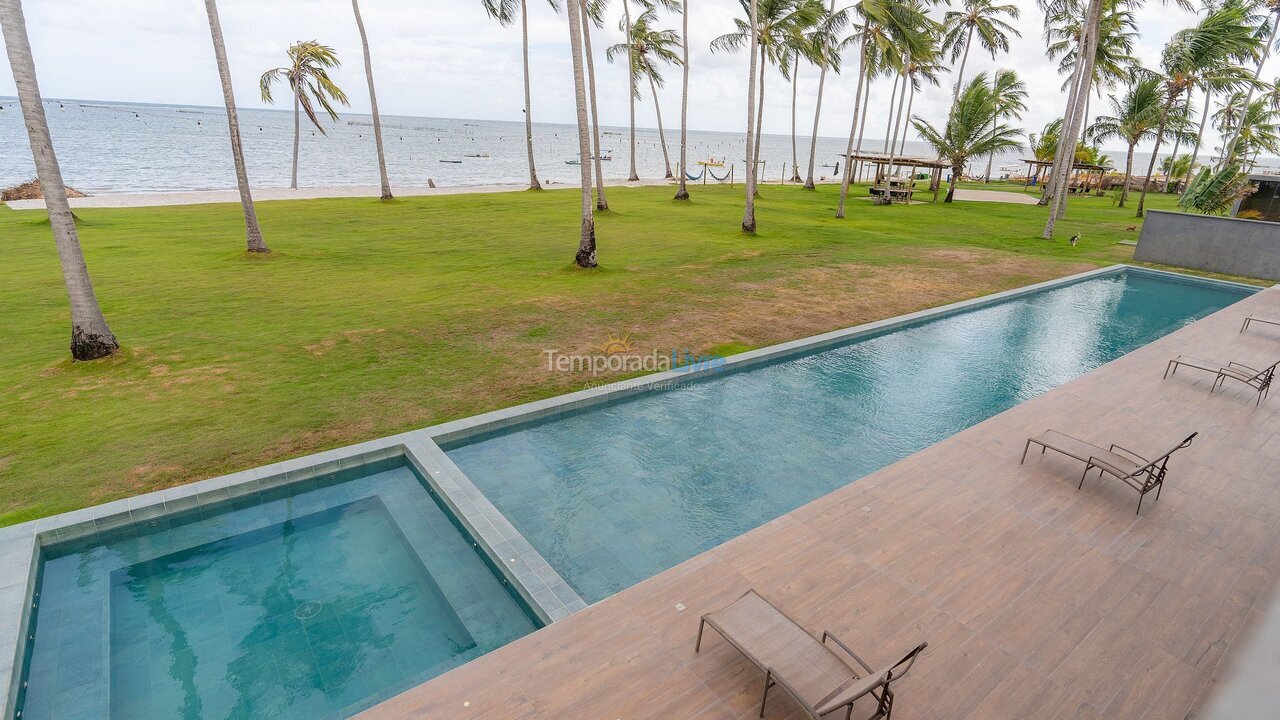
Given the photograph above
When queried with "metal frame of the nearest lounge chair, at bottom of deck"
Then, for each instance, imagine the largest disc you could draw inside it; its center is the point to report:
(844, 695)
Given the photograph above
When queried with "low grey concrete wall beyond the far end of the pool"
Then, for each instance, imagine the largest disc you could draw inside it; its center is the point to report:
(1209, 243)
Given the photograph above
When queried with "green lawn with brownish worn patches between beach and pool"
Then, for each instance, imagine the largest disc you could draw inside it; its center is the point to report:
(377, 318)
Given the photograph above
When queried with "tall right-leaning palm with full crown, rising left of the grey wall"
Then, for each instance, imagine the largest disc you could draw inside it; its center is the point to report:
(1223, 37)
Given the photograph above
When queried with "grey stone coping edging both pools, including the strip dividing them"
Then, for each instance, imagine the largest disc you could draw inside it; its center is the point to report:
(525, 569)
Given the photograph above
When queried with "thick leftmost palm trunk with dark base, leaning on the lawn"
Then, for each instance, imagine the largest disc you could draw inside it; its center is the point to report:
(92, 338)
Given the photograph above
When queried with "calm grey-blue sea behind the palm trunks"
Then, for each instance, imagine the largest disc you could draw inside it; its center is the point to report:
(135, 148)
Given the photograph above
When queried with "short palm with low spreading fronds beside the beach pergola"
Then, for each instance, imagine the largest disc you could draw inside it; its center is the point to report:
(972, 130)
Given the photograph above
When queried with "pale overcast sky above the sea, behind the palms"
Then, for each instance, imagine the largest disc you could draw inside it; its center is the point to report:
(442, 58)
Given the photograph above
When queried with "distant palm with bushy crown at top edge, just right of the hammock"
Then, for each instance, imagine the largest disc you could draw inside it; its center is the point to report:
(779, 26)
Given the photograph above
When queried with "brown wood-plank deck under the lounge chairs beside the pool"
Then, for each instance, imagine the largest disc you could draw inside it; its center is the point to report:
(1037, 600)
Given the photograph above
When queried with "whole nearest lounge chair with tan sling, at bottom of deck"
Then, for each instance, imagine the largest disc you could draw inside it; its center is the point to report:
(820, 680)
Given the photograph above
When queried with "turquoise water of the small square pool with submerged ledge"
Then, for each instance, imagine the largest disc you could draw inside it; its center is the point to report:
(307, 603)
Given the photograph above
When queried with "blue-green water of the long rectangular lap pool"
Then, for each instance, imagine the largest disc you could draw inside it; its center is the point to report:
(618, 494)
